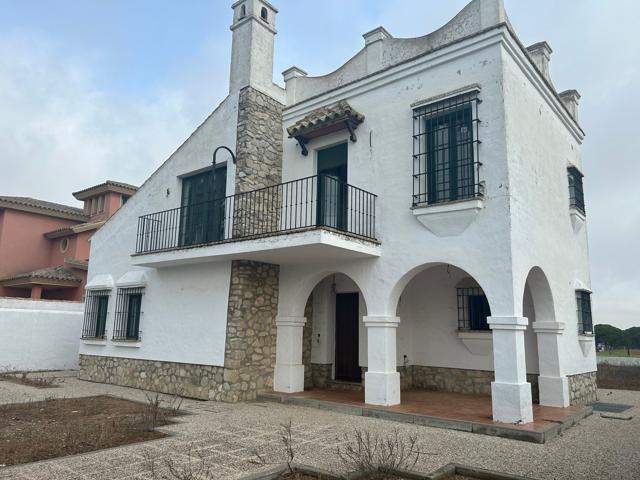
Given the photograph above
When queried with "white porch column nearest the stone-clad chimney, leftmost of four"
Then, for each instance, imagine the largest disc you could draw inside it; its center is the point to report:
(288, 376)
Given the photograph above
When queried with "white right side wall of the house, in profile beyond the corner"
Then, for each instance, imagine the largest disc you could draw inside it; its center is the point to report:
(542, 143)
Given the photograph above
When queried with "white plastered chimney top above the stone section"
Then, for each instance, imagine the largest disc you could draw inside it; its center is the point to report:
(254, 31)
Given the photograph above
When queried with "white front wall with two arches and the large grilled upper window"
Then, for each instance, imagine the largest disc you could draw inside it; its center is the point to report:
(381, 163)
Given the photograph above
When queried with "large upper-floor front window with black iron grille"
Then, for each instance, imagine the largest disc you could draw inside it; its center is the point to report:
(446, 163)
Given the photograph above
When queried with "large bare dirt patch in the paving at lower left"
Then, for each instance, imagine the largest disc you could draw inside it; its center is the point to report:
(55, 428)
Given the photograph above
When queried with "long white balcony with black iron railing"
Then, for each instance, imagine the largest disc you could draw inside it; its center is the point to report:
(315, 218)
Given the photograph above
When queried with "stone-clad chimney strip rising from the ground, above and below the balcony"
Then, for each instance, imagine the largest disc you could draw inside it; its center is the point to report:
(250, 349)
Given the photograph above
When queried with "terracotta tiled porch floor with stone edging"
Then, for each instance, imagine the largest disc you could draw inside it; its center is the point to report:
(456, 410)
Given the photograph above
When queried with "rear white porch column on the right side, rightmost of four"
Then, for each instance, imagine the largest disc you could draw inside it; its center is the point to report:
(553, 385)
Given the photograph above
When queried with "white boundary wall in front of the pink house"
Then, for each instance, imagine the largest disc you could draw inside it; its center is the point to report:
(39, 334)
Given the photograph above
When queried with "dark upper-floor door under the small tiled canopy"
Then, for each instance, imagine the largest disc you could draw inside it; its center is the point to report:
(332, 187)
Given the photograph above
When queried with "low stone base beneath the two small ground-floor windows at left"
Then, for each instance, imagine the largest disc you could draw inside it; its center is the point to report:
(204, 382)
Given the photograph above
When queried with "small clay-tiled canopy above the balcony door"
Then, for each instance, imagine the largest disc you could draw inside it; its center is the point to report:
(326, 120)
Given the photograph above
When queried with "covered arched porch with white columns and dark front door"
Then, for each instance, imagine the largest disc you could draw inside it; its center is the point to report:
(443, 348)
